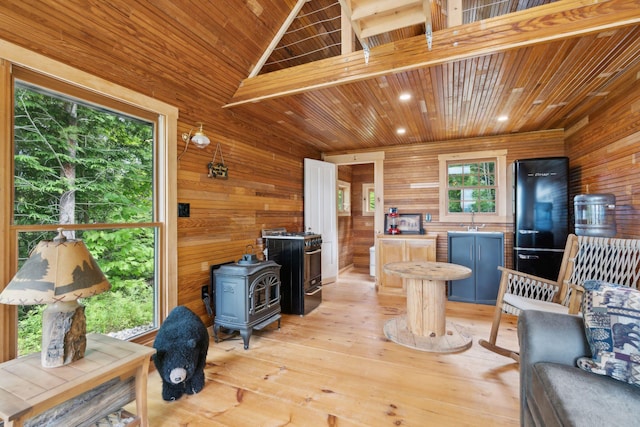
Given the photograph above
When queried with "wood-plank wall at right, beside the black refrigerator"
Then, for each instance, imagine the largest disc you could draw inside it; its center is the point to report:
(604, 148)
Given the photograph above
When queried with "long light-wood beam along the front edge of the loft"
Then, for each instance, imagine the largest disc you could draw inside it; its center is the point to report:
(556, 21)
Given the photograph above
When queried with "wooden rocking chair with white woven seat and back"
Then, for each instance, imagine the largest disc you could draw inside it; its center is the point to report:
(585, 258)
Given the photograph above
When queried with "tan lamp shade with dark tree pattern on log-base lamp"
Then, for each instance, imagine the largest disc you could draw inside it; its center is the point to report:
(56, 271)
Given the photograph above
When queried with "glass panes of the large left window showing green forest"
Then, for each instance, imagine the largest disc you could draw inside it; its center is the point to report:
(88, 168)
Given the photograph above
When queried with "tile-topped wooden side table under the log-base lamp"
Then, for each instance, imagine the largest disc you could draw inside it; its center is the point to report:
(27, 389)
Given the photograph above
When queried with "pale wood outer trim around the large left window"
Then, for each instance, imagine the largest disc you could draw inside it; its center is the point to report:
(165, 168)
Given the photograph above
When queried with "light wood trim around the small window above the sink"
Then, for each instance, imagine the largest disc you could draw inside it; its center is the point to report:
(502, 189)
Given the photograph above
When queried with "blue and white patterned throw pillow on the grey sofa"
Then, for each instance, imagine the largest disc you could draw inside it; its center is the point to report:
(611, 316)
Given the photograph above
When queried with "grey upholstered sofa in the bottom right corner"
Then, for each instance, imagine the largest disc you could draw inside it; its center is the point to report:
(554, 391)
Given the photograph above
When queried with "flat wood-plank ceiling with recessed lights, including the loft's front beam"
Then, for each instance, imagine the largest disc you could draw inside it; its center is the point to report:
(543, 68)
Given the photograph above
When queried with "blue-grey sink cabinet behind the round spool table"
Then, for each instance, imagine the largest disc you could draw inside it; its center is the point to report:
(482, 252)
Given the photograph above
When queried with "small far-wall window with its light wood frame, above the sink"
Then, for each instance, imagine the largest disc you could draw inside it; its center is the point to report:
(473, 183)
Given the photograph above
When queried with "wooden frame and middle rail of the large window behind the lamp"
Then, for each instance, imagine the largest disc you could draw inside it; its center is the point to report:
(165, 181)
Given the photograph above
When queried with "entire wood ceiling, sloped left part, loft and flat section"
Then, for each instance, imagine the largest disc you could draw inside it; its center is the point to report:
(293, 70)
